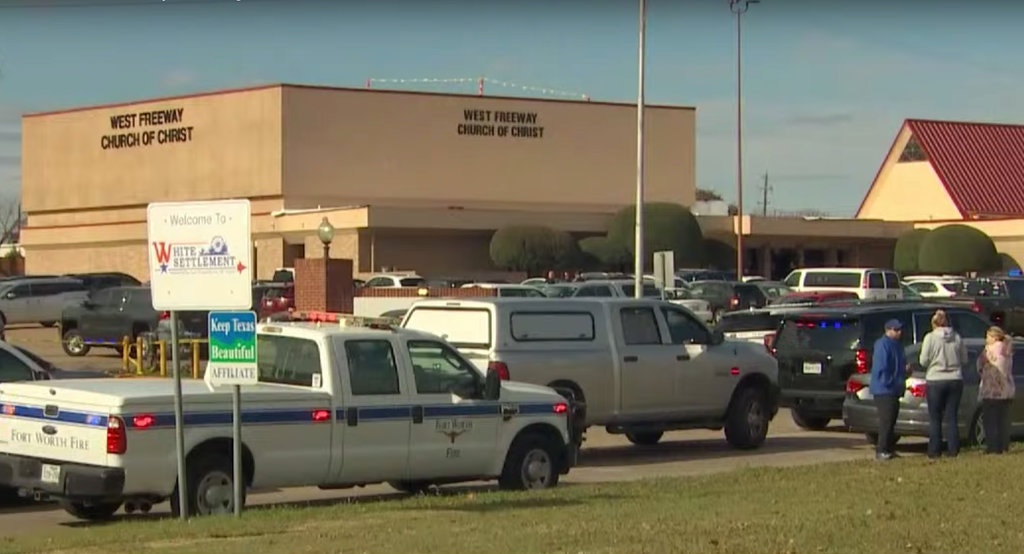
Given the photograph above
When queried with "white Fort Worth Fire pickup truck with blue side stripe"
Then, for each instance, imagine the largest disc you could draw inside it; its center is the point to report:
(340, 405)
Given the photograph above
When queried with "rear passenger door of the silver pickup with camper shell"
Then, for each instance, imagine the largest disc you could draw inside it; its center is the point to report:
(648, 364)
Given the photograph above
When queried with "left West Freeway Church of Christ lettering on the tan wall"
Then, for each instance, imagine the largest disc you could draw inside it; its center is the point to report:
(147, 129)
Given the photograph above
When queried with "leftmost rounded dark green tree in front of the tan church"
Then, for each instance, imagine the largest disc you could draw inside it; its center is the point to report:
(533, 249)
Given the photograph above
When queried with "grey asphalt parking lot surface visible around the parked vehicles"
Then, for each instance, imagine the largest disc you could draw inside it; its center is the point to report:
(606, 458)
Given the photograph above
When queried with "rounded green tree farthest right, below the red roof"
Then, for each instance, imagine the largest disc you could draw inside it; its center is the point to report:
(958, 249)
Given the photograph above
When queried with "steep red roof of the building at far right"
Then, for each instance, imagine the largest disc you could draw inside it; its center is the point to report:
(980, 164)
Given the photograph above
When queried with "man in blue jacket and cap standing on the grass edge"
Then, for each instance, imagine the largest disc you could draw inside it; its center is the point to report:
(888, 387)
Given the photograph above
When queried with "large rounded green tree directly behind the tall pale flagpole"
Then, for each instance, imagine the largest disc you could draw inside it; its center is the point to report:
(667, 227)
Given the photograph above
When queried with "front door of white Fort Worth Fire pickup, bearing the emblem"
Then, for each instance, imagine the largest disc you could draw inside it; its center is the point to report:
(455, 432)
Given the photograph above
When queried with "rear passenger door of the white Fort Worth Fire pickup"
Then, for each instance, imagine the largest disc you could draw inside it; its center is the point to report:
(376, 412)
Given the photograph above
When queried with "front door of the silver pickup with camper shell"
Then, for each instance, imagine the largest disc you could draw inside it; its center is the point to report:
(704, 382)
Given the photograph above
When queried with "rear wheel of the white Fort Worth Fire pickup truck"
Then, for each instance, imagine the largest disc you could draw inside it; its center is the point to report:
(210, 486)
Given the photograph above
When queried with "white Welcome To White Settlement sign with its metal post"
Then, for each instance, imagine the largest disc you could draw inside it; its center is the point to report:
(200, 260)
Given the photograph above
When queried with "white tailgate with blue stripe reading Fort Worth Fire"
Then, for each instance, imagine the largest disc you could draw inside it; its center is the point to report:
(37, 424)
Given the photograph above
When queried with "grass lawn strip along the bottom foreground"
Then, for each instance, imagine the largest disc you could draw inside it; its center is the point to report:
(969, 505)
